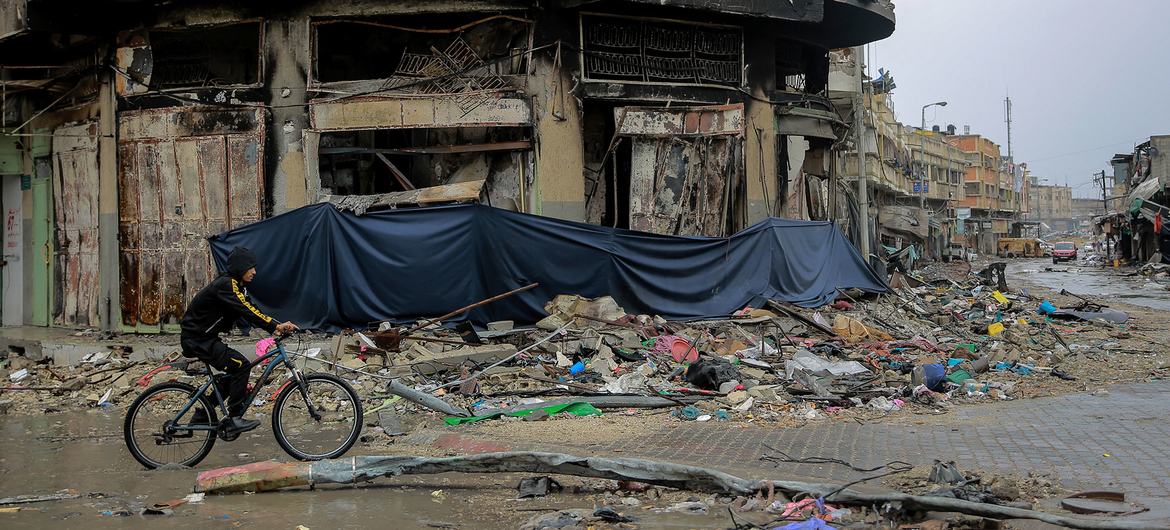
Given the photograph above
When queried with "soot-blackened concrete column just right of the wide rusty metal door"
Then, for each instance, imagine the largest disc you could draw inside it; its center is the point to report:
(287, 66)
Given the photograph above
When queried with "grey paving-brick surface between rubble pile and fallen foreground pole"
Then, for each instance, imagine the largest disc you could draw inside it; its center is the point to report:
(1113, 442)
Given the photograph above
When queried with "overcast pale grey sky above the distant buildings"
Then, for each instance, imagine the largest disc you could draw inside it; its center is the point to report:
(1088, 78)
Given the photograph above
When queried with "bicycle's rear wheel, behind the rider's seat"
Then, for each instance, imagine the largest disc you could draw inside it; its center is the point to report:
(149, 429)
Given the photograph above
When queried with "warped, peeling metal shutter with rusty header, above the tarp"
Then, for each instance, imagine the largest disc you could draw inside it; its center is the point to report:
(685, 163)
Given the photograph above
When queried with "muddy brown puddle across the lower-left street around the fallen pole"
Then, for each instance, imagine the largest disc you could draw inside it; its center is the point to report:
(85, 452)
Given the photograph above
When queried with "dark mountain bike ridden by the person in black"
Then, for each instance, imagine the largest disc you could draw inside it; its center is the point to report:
(175, 416)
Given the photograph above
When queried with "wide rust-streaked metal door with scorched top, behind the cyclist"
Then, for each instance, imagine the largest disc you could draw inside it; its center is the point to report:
(185, 174)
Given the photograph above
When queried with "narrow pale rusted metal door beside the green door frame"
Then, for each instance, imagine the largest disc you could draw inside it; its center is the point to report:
(75, 294)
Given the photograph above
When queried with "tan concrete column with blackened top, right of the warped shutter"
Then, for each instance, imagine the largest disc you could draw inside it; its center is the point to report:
(760, 134)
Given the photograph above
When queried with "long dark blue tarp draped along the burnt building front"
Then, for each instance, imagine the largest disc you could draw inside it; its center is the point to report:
(327, 270)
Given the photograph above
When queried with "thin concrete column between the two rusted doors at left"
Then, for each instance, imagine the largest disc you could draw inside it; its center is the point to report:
(109, 309)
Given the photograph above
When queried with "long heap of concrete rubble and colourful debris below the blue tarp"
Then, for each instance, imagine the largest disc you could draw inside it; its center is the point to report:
(931, 345)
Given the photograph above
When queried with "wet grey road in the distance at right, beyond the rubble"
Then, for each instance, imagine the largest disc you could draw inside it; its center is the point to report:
(1091, 281)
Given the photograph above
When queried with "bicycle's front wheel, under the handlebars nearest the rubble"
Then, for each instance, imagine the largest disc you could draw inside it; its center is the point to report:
(321, 423)
